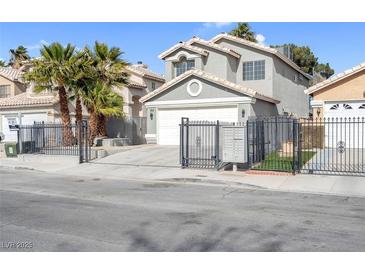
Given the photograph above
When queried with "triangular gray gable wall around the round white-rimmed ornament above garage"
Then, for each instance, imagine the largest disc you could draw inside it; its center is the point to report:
(209, 91)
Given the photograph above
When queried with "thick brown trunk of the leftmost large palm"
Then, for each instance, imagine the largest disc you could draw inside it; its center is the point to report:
(65, 116)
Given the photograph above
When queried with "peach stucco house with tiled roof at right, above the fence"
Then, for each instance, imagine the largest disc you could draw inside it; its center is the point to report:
(340, 96)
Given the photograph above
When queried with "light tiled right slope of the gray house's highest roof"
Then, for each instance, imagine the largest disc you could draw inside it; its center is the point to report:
(257, 46)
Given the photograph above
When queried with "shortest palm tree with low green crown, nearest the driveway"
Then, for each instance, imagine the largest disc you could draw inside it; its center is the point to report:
(101, 101)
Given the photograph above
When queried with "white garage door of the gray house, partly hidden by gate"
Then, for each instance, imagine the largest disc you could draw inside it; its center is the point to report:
(169, 119)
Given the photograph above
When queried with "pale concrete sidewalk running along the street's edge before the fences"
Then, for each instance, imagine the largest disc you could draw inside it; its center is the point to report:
(318, 184)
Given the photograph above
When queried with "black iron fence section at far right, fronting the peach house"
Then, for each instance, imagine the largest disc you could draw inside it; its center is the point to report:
(336, 145)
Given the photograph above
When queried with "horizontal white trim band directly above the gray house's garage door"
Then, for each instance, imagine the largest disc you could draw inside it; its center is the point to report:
(202, 102)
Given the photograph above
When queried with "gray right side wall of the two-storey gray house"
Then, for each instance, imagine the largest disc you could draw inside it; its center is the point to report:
(289, 89)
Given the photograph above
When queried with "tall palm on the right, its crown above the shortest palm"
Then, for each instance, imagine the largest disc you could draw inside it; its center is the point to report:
(109, 69)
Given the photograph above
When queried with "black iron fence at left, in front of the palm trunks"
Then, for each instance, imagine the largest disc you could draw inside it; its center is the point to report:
(55, 139)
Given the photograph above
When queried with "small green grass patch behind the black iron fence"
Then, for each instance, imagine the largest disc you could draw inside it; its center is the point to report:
(274, 161)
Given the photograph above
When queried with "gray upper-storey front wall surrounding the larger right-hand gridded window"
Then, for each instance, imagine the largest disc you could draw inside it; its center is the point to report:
(249, 54)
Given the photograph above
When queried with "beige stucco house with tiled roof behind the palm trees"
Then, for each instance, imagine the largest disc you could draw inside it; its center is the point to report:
(20, 105)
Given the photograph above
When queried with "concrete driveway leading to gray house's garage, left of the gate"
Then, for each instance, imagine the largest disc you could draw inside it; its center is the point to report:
(145, 155)
